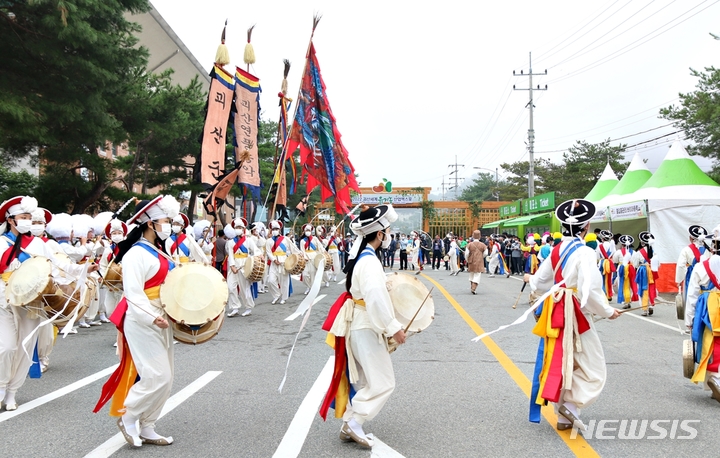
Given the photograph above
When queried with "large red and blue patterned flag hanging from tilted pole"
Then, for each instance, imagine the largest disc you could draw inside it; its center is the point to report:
(322, 155)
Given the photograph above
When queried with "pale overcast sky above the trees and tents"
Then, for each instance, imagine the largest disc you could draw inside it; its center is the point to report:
(412, 86)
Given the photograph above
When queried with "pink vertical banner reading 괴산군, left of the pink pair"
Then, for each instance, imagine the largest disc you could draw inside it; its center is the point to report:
(212, 156)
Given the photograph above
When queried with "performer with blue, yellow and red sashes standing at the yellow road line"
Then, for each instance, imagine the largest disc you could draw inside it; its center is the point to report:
(570, 366)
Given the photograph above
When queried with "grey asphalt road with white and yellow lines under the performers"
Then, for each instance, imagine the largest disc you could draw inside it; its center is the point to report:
(454, 397)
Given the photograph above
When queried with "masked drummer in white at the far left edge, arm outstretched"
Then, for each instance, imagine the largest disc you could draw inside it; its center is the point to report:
(17, 323)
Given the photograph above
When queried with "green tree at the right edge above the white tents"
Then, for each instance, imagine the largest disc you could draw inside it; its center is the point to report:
(699, 116)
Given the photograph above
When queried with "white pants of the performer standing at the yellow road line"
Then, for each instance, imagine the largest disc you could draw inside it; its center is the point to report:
(589, 375)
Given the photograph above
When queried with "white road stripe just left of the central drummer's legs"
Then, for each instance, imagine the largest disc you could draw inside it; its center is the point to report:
(294, 437)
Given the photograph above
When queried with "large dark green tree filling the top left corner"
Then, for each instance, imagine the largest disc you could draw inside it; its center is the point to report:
(63, 82)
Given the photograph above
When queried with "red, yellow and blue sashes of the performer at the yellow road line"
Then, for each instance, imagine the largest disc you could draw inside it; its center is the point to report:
(547, 378)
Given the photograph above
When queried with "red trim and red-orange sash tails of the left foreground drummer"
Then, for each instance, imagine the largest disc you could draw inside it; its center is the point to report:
(126, 375)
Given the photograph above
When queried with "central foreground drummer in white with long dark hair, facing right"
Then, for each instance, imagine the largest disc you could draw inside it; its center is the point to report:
(373, 321)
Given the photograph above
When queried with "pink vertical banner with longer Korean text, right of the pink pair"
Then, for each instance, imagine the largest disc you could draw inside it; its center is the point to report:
(246, 125)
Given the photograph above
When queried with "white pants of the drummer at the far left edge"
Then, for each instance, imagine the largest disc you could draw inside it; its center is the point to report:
(15, 326)
